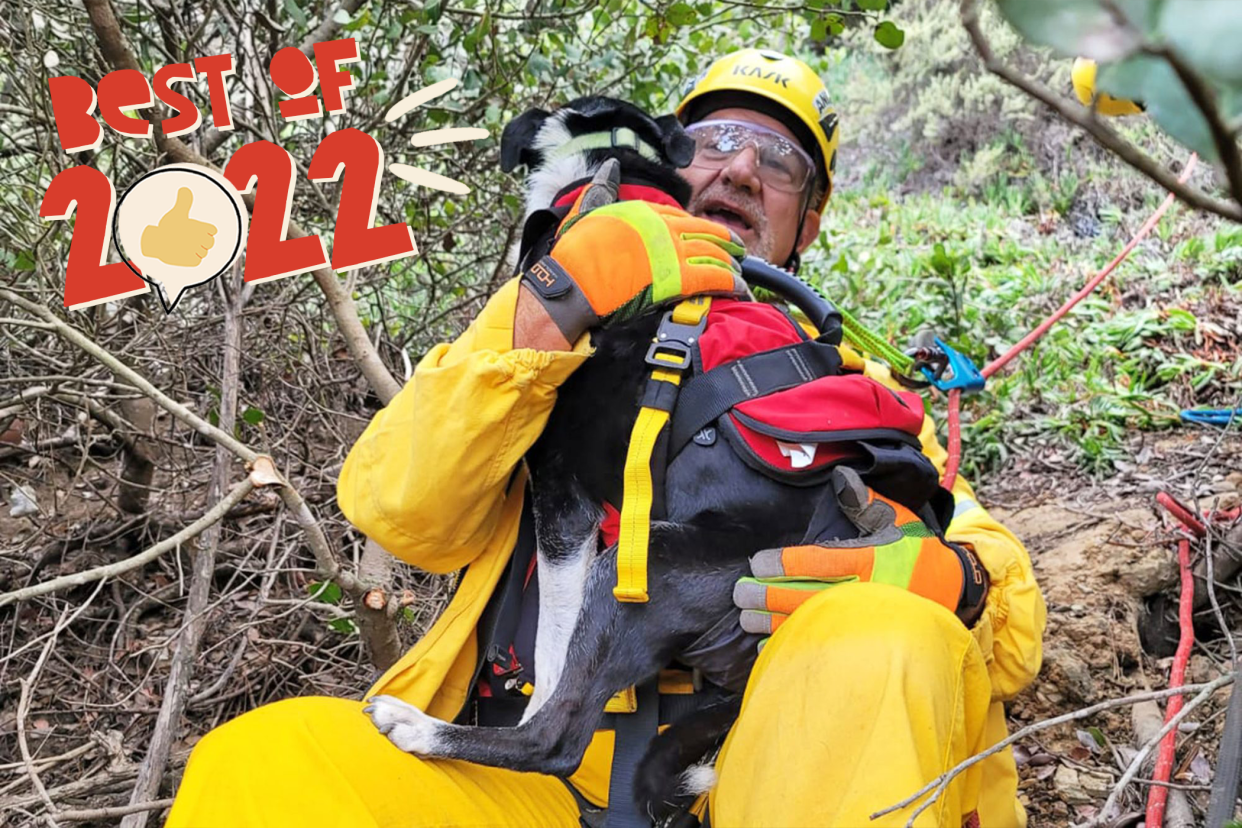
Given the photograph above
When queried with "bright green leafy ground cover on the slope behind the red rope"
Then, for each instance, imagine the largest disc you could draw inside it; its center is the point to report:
(982, 275)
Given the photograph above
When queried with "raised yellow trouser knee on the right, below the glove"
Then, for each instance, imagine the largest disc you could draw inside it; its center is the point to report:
(863, 697)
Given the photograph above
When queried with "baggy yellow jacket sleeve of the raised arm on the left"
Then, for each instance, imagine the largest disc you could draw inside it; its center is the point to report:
(427, 480)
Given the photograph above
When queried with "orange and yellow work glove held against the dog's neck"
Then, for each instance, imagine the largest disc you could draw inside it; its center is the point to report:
(612, 263)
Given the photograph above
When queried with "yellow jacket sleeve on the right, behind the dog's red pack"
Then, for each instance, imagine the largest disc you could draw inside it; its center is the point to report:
(1012, 630)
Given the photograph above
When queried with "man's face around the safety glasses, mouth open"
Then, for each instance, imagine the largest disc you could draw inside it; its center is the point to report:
(735, 197)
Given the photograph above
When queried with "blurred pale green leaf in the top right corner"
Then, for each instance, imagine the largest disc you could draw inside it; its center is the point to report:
(1207, 34)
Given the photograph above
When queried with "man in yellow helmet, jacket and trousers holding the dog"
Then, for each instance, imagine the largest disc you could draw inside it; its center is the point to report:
(868, 691)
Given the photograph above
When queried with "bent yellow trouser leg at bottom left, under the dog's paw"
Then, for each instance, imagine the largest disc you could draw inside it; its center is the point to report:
(319, 763)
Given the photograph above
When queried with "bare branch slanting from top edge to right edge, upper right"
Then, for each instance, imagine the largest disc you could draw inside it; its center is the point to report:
(1087, 121)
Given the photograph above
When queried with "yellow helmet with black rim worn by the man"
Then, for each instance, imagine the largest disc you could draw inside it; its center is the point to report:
(776, 85)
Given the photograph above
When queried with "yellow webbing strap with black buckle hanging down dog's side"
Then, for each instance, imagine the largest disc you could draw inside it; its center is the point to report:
(659, 400)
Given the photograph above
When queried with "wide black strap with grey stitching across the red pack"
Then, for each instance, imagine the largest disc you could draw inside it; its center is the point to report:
(707, 397)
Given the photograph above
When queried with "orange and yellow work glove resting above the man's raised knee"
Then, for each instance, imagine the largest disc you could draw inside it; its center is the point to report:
(895, 548)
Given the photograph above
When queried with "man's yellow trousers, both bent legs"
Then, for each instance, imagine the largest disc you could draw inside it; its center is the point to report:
(861, 698)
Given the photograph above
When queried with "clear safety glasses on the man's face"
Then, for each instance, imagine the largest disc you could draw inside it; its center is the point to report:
(782, 164)
